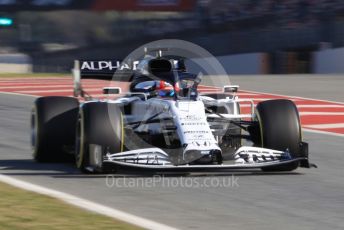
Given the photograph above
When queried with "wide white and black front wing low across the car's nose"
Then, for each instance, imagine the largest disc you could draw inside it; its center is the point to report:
(249, 158)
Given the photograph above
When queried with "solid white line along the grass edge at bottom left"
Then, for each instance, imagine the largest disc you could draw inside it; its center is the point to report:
(86, 204)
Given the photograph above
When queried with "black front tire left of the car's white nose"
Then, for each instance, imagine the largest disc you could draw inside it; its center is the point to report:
(100, 124)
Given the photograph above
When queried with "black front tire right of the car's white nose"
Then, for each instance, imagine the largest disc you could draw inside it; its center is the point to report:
(280, 129)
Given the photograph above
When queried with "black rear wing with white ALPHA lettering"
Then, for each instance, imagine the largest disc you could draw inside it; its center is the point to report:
(103, 70)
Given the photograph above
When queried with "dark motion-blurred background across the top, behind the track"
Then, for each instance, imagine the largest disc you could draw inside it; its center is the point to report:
(248, 36)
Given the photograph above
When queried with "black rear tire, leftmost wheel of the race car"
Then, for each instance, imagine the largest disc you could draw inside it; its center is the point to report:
(53, 122)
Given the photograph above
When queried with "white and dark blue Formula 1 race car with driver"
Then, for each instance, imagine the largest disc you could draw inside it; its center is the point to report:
(164, 123)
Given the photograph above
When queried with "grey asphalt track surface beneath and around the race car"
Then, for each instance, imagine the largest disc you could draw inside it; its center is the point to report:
(304, 199)
